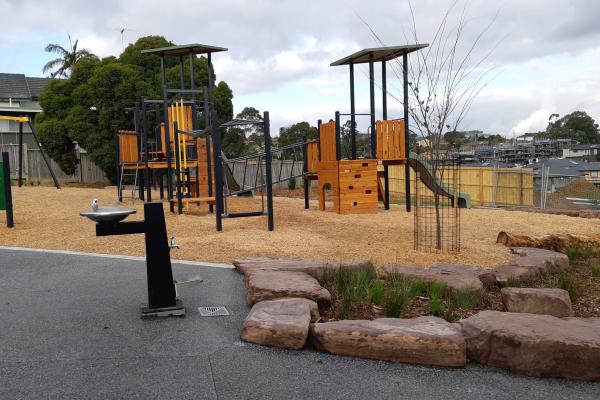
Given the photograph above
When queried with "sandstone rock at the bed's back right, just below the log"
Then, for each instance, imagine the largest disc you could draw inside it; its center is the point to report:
(532, 264)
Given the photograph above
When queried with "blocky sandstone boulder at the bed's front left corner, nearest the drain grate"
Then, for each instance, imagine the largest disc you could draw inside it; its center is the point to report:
(278, 323)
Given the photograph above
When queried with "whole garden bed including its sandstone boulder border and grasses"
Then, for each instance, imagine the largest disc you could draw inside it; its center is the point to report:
(517, 316)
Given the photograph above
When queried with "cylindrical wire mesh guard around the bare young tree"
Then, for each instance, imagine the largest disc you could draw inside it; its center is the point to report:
(436, 206)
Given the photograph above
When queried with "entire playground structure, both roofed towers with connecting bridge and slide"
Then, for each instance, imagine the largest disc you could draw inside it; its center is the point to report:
(197, 172)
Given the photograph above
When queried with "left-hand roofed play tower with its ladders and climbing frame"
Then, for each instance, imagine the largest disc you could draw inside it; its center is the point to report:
(190, 157)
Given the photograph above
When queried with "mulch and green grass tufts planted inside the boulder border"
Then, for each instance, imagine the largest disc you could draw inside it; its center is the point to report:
(364, 294)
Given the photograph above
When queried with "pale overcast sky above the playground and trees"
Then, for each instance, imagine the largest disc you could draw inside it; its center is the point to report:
(546, 54)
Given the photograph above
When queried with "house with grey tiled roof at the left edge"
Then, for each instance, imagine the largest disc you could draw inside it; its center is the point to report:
(19, 94)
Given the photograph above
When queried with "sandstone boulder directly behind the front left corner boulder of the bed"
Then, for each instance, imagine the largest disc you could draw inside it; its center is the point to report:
(269, 285)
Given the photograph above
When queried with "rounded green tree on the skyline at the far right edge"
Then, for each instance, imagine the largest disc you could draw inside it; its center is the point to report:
(578, 126)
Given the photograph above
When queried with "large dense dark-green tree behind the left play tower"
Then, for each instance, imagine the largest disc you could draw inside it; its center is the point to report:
(90, 105)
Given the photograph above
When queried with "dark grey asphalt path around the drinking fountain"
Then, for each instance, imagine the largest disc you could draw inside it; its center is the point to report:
(70, 329)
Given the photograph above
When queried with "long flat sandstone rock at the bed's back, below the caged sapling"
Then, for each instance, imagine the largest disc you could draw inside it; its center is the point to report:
(456, 277)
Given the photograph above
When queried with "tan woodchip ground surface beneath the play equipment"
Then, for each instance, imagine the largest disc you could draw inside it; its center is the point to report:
(49, 218)
